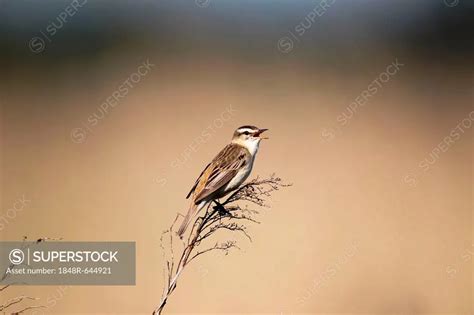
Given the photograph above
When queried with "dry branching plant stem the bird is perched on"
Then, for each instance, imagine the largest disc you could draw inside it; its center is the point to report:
(255, 192)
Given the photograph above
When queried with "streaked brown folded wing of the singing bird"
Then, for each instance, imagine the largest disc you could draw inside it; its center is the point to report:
(221, 170)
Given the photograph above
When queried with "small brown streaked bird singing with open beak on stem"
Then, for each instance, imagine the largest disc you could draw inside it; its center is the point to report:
(226, 172)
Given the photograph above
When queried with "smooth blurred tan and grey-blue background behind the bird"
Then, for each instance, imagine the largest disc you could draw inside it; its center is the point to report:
(363, 229)
